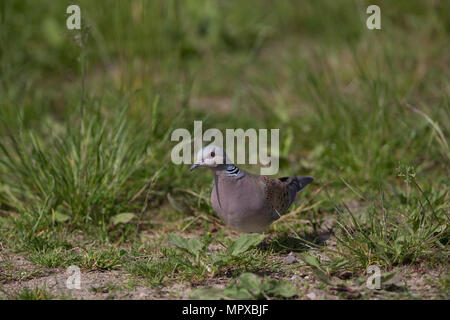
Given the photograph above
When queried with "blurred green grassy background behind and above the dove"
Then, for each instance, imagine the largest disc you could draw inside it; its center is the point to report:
(86, 116)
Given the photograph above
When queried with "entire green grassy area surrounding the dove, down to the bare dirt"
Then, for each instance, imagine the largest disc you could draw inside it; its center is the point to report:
(86, 118)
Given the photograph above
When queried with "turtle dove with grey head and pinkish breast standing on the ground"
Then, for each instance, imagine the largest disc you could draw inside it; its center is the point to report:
(247, 202)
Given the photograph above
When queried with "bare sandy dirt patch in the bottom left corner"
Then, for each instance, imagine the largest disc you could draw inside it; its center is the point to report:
(17, 274)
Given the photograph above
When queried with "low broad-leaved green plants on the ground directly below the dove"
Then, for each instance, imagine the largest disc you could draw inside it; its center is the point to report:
(191, 259)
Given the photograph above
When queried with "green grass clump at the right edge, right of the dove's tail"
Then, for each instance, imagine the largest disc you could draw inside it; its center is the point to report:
(391, 231)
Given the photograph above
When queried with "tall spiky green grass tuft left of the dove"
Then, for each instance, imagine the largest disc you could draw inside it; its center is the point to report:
(84, 170)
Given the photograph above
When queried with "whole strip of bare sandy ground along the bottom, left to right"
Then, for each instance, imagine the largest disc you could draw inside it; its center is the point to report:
(408, 282)
